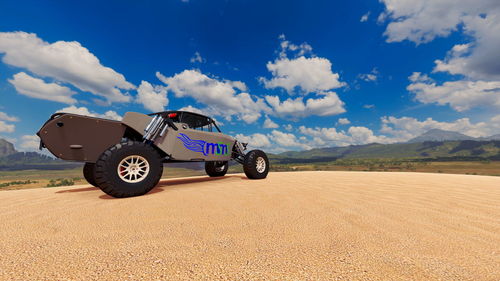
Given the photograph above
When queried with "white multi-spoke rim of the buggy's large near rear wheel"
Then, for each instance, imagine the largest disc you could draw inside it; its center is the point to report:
(133, 168)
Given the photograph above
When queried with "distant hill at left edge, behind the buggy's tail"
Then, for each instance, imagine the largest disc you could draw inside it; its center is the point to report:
(11, 159)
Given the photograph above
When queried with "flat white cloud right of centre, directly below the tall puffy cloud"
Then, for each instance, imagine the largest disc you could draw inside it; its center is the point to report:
(329, 104)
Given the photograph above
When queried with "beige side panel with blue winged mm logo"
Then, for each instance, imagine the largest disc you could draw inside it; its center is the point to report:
(193, 145)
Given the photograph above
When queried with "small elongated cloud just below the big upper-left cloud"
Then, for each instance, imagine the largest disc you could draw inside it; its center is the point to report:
(39, 89)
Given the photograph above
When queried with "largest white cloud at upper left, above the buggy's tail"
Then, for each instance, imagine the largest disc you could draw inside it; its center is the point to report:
(67, 62)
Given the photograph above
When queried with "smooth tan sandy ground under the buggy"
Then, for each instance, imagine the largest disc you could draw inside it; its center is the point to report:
(291, 226)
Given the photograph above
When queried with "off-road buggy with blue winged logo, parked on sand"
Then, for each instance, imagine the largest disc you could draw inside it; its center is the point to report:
(125, 158)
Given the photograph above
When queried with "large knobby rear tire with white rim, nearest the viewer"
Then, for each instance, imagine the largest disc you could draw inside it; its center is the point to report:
(128, 169)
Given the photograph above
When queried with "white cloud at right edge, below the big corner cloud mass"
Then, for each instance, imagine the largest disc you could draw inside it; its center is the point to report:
(461, 95)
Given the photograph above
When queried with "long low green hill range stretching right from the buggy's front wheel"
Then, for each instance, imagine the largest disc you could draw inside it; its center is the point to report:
(437, 150)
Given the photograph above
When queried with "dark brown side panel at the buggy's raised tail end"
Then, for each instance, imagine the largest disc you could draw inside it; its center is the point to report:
(80, 138)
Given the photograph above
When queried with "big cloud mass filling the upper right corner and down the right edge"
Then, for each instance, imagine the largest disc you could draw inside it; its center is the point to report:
(477, 61)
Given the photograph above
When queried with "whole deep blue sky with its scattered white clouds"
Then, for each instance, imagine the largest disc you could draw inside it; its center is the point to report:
(282, 75)
